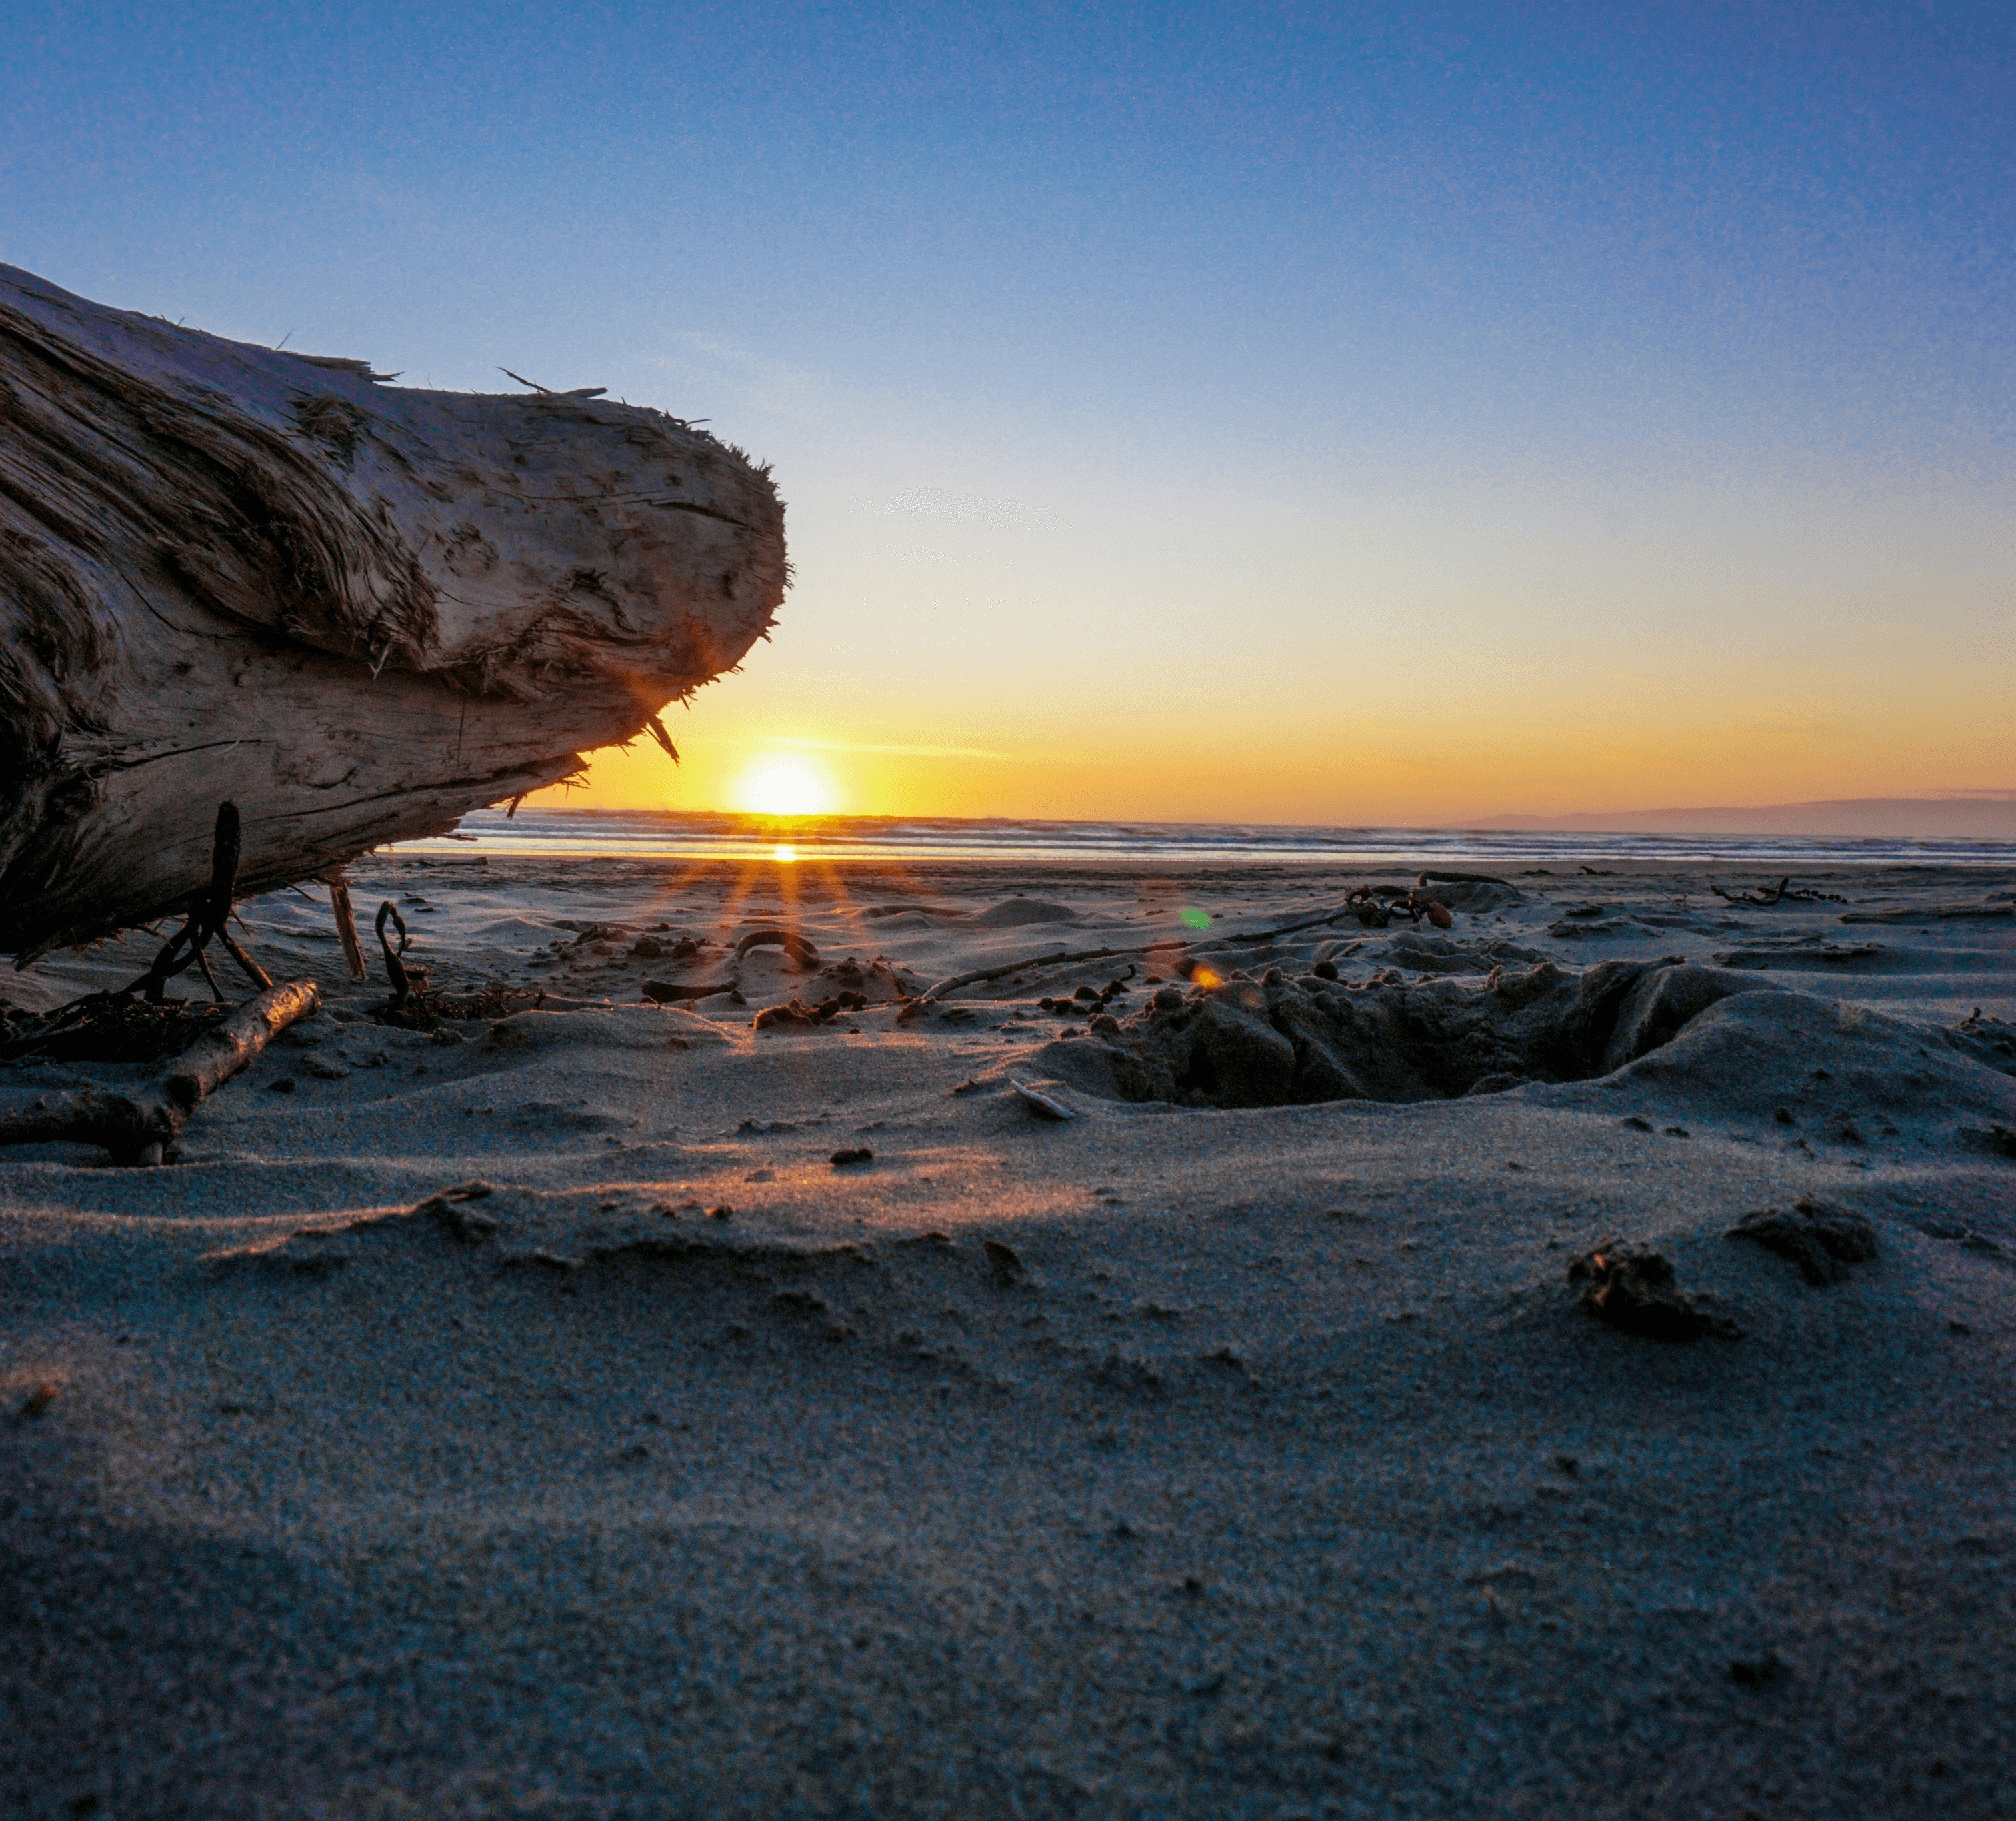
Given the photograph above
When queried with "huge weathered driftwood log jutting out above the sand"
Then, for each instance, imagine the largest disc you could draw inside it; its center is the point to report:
(354, 610)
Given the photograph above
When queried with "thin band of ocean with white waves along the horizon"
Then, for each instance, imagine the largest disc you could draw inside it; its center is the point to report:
(678, 836)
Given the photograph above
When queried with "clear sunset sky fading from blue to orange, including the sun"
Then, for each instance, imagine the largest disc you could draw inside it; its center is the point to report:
(1295, 414)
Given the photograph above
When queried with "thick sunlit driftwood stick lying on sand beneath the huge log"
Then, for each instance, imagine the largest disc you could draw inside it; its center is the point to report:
(134, 1128)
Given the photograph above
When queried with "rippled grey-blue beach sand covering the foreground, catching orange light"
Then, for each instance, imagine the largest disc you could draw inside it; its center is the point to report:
(1269, 1471)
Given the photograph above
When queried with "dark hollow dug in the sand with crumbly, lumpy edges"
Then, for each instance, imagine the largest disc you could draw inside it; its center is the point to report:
(1295, 1042)
